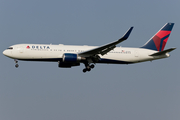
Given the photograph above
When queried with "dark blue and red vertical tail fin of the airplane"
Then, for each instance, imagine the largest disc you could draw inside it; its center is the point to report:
(159, 40)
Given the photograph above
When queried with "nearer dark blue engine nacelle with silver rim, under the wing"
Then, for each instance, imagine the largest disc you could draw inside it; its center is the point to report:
(71, 58)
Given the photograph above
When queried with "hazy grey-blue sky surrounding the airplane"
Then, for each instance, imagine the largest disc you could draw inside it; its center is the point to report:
(42, 91)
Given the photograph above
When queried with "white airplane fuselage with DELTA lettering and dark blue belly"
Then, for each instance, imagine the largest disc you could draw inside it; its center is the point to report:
(45, 52)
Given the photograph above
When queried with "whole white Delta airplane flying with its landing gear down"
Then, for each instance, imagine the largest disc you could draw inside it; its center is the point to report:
(68, 56)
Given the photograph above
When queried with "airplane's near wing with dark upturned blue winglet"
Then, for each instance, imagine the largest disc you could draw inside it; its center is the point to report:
(105, 48)
